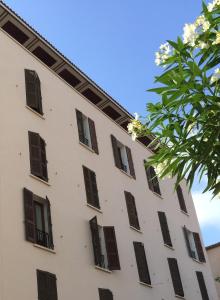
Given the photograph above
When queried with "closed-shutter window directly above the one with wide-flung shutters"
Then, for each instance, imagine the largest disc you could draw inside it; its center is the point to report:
(91, 187)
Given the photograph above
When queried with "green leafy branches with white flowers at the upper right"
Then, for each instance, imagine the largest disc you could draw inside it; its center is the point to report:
(186, 121)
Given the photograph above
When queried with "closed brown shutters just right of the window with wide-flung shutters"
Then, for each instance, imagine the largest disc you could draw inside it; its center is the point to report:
(141, 260)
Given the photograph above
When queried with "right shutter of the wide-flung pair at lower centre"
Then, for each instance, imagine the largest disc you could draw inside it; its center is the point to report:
(111, 248)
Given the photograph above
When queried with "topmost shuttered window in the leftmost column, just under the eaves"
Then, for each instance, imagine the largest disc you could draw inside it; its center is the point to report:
(33, 91)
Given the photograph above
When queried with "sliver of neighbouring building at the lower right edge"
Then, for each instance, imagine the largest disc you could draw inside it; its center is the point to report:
(213, 252)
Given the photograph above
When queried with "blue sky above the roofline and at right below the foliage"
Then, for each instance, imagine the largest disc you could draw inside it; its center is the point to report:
(114, 43)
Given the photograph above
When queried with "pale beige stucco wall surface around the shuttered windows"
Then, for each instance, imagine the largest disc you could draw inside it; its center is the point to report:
(73, 263)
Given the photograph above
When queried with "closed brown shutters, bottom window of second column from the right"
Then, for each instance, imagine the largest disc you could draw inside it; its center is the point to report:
(175, 275)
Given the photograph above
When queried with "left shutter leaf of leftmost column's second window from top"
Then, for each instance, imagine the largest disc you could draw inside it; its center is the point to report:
(35, 154)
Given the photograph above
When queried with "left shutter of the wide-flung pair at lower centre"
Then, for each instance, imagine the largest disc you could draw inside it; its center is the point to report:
(96, 242)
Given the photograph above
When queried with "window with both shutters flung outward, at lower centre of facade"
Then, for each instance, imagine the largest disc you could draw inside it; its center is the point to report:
(104, 246)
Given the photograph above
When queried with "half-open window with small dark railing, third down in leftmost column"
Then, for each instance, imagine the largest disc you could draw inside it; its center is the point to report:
(38, 225)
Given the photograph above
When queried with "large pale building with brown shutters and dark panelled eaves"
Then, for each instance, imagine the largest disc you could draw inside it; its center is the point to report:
(81, 217)
